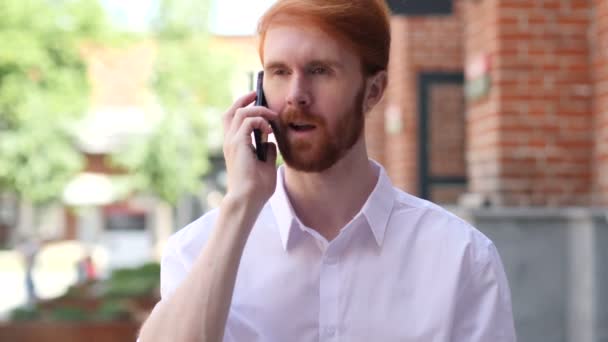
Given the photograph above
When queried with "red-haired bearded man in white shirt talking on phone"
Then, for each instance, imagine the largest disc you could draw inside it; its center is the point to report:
(325, 247)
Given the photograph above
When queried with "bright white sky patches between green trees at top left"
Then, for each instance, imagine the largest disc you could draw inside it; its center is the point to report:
(228, 17)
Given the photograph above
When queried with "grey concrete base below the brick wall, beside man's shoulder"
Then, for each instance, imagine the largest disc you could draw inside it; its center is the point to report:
(555, 259)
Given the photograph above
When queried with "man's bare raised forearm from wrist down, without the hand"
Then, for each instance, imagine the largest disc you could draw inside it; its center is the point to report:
(198, 308)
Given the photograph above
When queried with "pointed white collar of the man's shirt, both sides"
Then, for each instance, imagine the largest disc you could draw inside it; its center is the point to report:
(377, 209)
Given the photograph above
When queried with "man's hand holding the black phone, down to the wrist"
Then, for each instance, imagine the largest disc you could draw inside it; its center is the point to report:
(248, 177)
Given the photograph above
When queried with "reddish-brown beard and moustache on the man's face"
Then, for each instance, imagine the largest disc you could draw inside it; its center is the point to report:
(325, 146)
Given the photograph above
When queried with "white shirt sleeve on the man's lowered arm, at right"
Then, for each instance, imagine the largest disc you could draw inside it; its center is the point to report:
(483, 310)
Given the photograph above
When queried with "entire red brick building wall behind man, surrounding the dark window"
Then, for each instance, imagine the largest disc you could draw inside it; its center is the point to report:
(530, 139)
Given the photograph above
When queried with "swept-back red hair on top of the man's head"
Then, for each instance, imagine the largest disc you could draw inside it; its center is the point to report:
(363, 25)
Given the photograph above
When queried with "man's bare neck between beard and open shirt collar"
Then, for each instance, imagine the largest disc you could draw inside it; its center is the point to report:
(328, 200)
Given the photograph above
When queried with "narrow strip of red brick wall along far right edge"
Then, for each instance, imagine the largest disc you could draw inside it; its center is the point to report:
(599, 38)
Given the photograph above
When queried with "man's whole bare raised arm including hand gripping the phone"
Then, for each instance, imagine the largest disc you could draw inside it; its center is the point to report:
(198, 308)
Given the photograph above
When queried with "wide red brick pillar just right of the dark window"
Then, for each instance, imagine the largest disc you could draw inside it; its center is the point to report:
(530, 138)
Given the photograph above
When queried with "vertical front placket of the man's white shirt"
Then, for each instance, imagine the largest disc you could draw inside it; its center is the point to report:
(329, 325)
